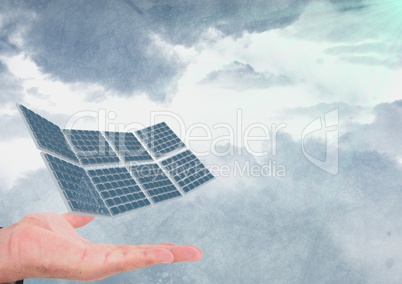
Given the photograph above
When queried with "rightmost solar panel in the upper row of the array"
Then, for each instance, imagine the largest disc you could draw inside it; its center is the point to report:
(160, 139)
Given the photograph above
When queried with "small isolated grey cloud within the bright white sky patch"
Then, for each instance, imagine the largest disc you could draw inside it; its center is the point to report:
(242, 77)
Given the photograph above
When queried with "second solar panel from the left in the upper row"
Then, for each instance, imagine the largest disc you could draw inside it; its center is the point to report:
(91, 147)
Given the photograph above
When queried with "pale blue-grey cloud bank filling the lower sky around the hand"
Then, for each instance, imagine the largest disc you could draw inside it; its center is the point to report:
(260, 229)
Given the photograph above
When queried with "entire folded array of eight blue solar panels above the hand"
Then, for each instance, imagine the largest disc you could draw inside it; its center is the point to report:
(91, 179)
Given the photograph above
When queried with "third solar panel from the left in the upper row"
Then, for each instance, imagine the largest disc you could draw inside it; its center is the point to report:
(128, 147)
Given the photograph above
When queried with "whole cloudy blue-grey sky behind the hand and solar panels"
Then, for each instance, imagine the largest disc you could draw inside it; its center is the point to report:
(321, 80)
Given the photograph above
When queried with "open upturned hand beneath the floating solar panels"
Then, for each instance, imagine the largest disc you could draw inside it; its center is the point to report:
(46, 245)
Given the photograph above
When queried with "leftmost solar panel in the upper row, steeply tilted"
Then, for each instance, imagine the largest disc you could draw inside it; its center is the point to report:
(48, 135)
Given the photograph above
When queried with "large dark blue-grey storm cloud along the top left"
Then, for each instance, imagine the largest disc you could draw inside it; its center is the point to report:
(109, 42)
